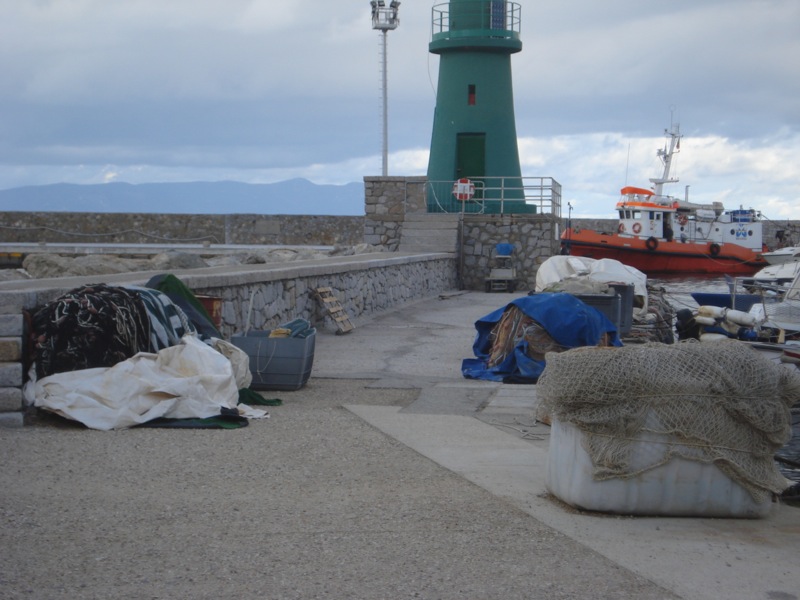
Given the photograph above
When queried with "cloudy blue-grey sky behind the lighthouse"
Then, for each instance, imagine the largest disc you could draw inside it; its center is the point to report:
(267, 90)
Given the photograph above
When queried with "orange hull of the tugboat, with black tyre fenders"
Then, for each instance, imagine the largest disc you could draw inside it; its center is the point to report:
(660, 256)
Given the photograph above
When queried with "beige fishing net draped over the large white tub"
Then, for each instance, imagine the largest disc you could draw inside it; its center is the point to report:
(720, 403)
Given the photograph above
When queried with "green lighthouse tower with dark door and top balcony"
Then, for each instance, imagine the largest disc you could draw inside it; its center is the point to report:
(474, 133)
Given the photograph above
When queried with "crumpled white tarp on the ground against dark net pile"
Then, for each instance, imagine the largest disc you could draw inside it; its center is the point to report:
(188, 380)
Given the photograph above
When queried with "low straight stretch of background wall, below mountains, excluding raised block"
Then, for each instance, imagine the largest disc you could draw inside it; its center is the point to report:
(142, 228)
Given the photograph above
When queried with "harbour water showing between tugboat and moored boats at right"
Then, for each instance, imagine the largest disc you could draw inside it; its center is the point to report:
(678, 292)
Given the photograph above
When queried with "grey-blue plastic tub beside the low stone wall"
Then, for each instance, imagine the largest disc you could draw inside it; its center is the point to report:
(277, 363)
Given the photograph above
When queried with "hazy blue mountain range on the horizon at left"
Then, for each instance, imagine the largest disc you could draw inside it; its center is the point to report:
(292, 197)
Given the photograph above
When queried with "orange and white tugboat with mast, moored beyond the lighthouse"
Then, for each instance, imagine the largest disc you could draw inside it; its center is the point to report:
(659, 234)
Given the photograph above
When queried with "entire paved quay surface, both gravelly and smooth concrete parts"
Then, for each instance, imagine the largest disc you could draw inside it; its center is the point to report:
(387, 476)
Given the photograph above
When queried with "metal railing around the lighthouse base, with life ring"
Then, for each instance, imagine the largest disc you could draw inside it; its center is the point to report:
(495, 195)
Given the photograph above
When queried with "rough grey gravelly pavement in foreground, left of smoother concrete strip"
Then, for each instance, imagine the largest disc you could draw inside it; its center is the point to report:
(310, 503)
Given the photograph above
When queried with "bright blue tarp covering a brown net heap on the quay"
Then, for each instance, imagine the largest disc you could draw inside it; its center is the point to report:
(570, 322)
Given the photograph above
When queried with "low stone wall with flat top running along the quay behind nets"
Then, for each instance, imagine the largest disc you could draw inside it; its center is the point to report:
(253, 297)
